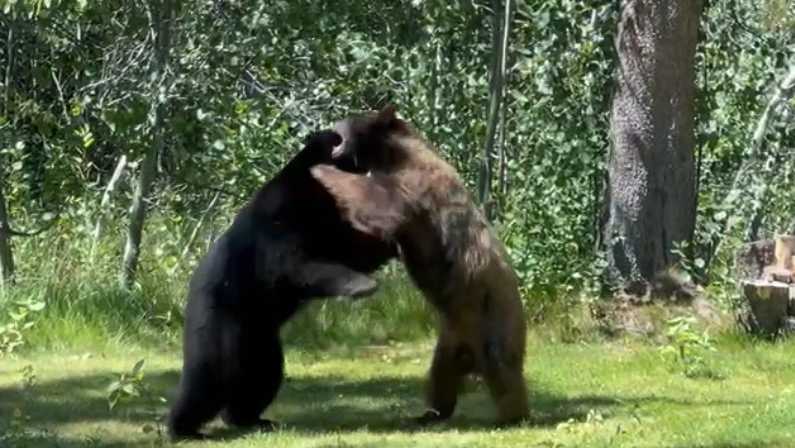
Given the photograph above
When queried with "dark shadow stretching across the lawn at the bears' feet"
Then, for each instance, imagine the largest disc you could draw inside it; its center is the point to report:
(306, 404)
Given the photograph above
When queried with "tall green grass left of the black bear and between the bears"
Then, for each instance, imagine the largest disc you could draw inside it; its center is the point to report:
(86, 308)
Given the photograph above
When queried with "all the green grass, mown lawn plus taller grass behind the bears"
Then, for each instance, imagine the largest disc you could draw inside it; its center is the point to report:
(356, 374)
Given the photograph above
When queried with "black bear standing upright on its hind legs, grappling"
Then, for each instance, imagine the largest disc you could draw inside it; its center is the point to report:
(286, 246)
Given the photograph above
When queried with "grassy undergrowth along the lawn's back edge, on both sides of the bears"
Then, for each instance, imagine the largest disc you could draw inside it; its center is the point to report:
(67, 295)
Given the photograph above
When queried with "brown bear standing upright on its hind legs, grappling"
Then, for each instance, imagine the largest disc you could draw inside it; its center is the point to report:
(412, 196)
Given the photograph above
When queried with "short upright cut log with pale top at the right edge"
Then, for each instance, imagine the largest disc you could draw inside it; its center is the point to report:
(769, 302)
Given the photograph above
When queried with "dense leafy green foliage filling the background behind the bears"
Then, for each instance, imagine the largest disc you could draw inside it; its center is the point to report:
(249, 79)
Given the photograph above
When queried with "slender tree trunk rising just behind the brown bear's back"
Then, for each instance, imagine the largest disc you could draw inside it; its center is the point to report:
(502, 29)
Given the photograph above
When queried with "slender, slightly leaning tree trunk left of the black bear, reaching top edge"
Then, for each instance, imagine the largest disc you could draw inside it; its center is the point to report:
(161, 15)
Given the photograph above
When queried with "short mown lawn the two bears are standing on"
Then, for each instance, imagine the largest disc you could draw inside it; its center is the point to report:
(592, 395)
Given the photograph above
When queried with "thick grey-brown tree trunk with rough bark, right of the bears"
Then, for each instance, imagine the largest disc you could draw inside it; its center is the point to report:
(651, 173)
